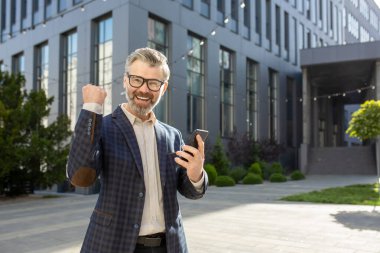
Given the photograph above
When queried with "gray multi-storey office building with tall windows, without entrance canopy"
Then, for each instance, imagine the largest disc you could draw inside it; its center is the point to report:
(235, 63)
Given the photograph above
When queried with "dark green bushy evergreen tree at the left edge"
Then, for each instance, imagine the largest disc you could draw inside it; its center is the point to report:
(31, 153)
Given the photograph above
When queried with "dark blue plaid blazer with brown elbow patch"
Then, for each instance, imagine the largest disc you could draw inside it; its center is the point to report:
(107, 148)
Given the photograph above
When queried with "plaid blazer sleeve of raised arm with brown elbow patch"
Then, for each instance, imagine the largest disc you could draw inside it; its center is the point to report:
(83, 166)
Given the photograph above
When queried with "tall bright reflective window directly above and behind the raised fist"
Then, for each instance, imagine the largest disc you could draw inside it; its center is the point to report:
(102, 65)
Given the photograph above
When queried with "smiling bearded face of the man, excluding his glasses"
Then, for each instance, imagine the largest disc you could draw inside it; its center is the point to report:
(141, 101)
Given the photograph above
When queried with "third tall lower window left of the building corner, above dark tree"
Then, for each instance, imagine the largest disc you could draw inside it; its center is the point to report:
(41, 69)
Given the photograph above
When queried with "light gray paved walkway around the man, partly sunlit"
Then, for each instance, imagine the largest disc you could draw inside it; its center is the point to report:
(243, 219)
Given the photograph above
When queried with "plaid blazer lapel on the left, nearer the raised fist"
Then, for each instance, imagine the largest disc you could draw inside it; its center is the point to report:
(126, 128)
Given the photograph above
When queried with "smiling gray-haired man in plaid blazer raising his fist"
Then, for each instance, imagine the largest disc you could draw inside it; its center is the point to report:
(138, 161)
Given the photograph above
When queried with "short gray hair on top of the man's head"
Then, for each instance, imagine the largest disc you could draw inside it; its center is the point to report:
(151, 56)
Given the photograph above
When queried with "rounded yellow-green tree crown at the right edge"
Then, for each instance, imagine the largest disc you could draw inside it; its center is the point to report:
(365, 122)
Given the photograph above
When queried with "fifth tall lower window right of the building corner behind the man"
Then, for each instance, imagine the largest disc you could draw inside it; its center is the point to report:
(273, 104)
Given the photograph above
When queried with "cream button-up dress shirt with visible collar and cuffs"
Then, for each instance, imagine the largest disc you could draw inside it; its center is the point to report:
(153, 220)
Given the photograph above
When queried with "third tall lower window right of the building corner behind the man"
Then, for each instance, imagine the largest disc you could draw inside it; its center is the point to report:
(226, 92)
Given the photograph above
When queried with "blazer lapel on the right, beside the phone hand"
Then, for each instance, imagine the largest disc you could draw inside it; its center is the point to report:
(162, 151)
